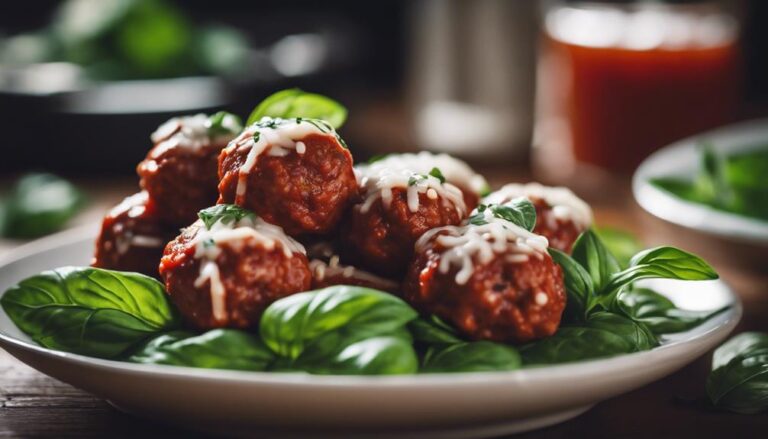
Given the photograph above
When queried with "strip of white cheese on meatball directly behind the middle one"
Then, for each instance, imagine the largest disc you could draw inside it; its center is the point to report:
(454, 170)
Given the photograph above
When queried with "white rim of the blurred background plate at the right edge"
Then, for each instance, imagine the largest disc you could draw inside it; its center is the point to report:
(674, 210)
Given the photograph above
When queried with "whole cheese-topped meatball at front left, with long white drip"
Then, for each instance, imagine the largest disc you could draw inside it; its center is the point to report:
(227, 275)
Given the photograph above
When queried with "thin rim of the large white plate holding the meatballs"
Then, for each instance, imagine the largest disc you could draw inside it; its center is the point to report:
(730, 317)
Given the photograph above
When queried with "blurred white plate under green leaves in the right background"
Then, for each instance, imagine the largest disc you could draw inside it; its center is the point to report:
(681, 159)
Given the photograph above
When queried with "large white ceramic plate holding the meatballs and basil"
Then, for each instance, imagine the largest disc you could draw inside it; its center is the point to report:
(279, 404)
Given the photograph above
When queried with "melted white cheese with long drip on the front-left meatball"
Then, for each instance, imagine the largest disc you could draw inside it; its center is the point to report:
(208, 246)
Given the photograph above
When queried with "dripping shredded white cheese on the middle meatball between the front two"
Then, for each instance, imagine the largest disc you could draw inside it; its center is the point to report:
(378, 183)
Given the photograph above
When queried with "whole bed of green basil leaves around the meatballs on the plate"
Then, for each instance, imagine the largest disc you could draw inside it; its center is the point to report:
(348, 330)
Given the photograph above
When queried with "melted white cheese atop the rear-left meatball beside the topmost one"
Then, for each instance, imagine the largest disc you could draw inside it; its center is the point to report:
(189, 132)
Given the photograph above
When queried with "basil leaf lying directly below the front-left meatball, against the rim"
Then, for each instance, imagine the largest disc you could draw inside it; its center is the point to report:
(215, 349)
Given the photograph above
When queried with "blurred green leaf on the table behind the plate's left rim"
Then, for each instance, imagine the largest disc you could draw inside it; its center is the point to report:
(39, 204)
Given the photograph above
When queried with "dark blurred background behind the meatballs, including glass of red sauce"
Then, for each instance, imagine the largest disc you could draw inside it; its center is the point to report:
(566, 92)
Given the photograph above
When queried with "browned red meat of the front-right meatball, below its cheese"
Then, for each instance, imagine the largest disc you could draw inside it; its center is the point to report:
(504, 299)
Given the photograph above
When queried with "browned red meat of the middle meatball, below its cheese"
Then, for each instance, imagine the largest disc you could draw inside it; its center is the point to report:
(381, 237)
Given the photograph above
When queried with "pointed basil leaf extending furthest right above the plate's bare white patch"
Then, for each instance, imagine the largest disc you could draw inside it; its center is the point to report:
(663, 263)
